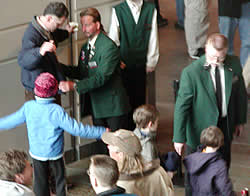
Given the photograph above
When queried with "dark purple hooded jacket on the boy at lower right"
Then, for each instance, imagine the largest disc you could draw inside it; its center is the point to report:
(208, 174)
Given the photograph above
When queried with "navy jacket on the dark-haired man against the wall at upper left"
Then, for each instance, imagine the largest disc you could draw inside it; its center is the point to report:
(32, 63)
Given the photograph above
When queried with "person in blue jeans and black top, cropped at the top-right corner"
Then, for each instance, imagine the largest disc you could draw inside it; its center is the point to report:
(233, 14)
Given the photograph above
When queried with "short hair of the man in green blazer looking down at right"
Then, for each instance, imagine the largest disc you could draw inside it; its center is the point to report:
(218, 41)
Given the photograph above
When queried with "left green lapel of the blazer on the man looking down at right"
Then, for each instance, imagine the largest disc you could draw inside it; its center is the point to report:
(208, 83)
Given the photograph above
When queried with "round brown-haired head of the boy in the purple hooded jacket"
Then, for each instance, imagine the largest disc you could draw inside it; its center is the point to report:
(212, 137)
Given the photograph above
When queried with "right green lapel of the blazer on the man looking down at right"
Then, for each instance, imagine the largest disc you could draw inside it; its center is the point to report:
(228, 81)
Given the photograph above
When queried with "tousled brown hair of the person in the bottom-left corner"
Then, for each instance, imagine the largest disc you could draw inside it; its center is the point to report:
(11, 163)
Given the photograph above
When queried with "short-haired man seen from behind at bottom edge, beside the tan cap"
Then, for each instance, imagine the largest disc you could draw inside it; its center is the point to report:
(103, 174)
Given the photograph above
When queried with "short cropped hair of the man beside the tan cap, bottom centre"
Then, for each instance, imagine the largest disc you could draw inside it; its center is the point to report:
(105, 169)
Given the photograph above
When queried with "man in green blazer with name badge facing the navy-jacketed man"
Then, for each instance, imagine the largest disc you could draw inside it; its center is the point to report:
(98, 75)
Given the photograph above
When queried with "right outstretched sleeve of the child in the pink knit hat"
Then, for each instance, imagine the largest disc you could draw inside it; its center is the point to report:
(77, 129)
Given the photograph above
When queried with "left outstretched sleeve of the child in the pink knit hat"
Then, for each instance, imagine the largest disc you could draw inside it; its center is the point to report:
(13, 120)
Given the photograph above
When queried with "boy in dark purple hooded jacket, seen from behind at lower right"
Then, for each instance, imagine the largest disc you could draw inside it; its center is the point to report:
(207, 171)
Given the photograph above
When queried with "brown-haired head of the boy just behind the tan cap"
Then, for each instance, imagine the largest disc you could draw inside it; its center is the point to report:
(146, 116)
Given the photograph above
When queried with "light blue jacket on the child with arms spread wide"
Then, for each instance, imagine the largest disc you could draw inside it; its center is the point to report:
(46, 122)
